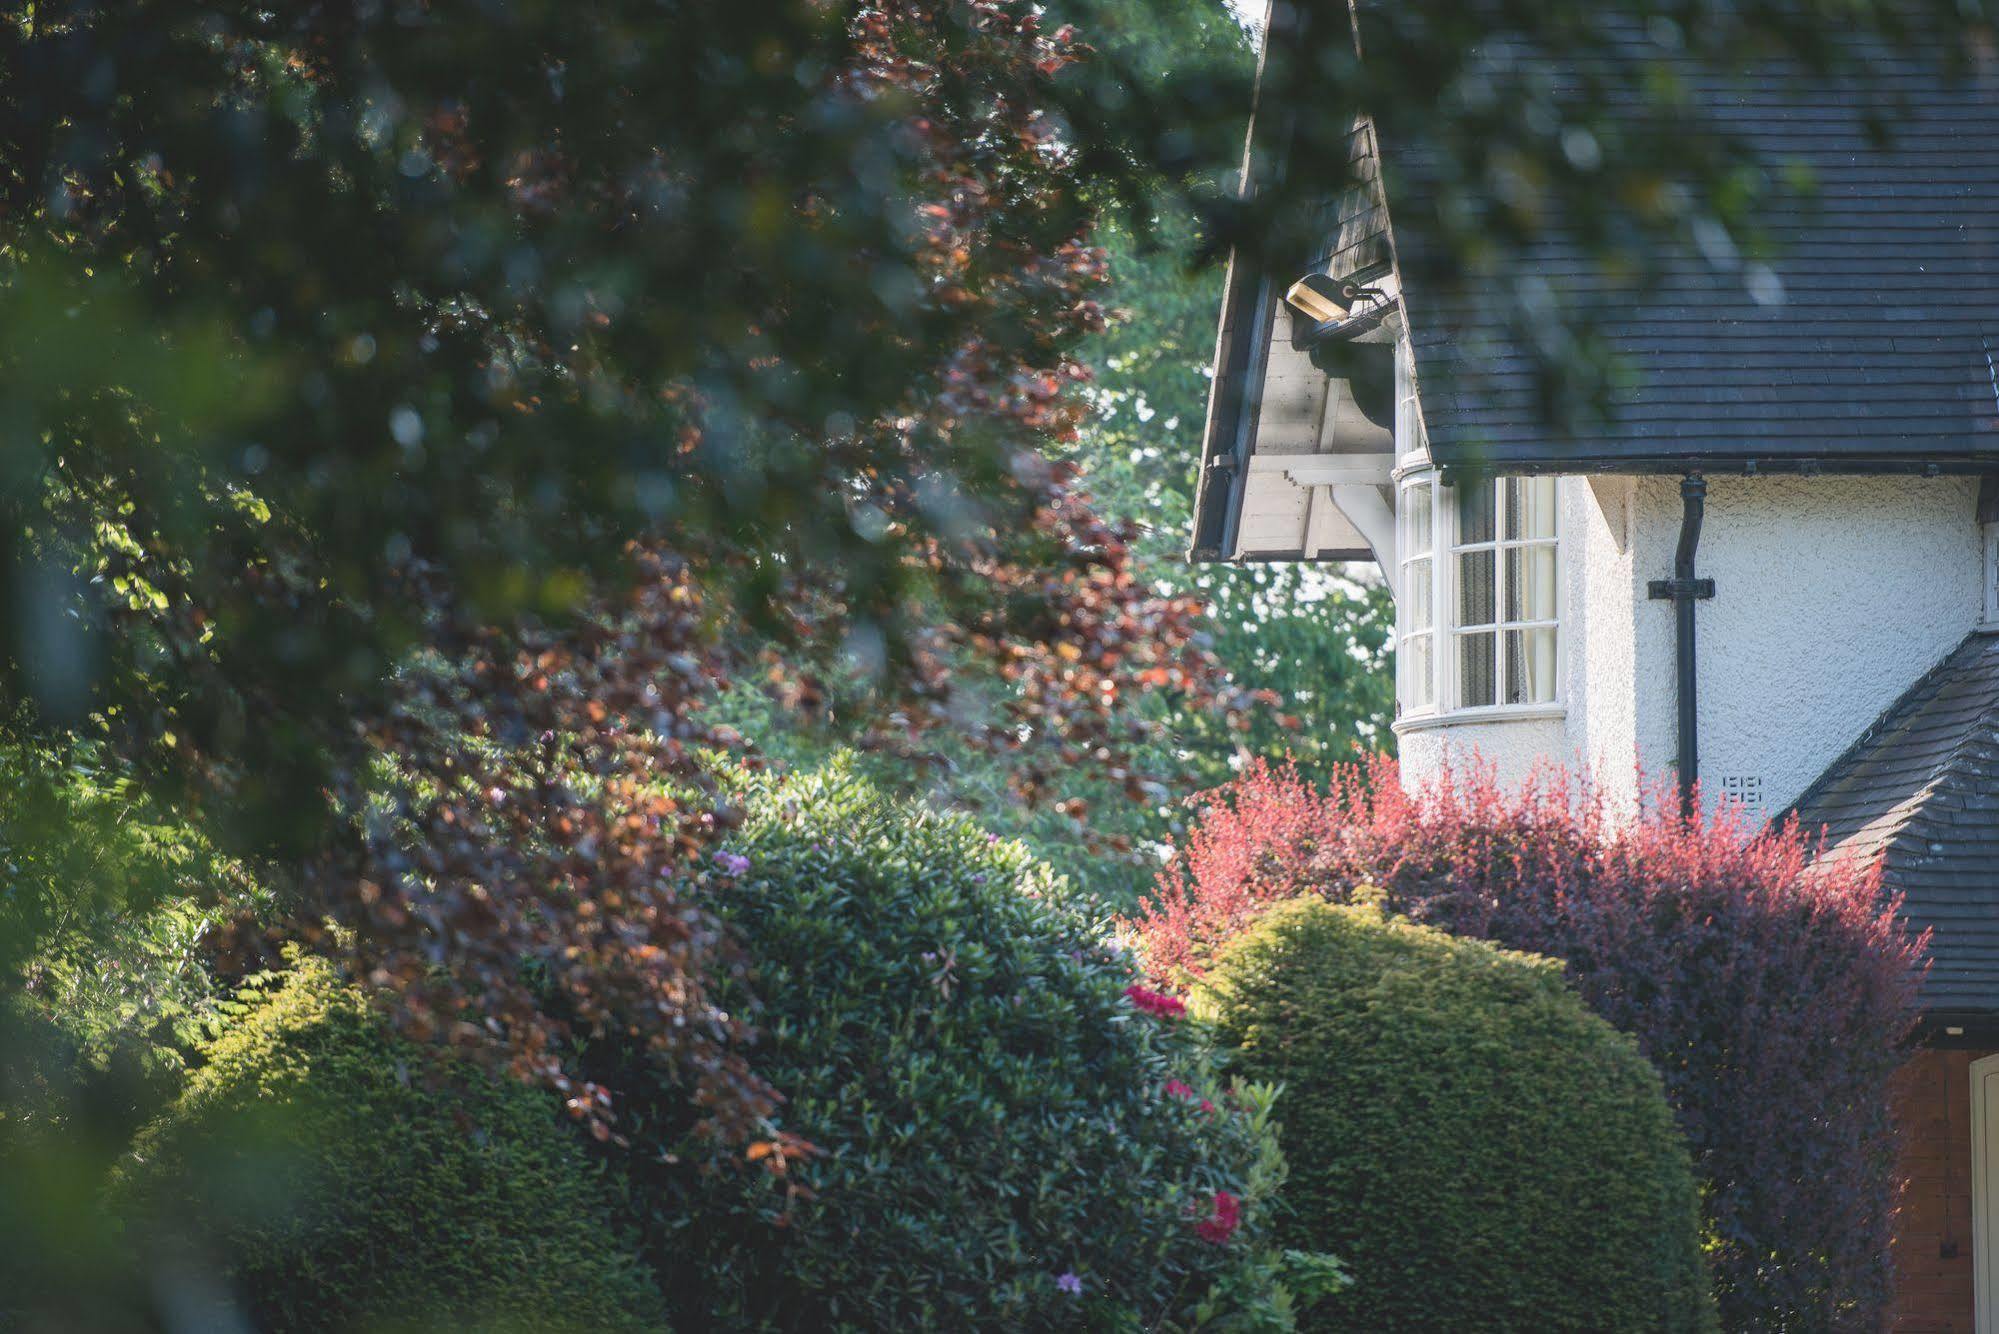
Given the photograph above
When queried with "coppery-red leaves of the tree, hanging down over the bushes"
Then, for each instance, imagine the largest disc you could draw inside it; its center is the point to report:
(527, 831)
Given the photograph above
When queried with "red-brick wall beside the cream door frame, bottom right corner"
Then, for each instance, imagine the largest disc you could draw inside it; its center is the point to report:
(1934, 1225)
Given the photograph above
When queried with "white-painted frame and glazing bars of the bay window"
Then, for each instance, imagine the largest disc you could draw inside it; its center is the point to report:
(1444, 661)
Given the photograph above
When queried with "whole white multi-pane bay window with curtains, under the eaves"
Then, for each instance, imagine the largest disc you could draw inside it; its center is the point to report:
(1478, 625)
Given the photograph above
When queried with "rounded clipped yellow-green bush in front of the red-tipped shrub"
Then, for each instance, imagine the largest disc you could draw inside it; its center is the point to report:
(1484, 1151)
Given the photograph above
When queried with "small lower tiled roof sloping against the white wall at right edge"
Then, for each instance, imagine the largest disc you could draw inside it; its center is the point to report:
(1922, 791)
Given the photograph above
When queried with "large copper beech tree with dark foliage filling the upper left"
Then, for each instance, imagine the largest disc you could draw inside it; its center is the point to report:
(425, 413)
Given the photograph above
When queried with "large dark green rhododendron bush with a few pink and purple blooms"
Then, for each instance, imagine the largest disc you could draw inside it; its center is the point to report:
(1006, 1139)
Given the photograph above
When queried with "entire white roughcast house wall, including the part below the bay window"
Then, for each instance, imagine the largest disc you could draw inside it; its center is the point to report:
(1832, 597)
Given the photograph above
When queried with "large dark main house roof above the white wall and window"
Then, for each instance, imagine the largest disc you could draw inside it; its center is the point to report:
(1882, 351)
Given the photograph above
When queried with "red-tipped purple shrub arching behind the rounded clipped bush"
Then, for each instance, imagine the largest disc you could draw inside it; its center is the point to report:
(1776, 997)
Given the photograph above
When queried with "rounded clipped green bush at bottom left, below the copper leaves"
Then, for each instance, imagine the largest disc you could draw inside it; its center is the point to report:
(321, 1175)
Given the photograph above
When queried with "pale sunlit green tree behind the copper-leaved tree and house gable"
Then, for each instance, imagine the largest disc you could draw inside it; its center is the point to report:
(1310, 643)
